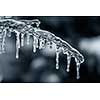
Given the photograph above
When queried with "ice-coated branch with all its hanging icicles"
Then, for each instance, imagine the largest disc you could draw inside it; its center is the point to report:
(41, 38)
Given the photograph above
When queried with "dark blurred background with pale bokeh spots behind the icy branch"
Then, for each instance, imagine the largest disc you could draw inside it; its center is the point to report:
(83, 33)
